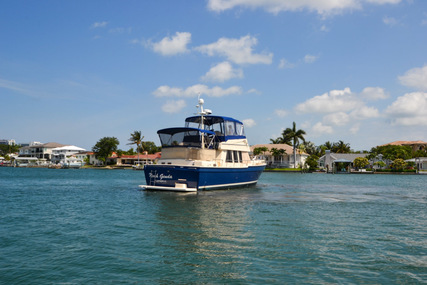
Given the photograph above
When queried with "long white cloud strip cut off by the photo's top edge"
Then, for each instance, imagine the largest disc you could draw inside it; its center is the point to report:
(322, 7)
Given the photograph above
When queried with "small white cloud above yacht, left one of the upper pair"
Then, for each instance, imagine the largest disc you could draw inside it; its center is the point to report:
(176, 44)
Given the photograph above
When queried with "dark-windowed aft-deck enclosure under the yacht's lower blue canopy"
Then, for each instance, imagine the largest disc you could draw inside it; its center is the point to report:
(186, 137)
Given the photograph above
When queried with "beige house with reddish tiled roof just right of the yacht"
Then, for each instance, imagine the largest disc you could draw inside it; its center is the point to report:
(285, 160)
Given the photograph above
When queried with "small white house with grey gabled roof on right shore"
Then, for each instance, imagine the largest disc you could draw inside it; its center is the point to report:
(330, 161)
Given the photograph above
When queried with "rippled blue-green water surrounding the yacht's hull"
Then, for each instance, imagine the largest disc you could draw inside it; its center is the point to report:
(95, 226)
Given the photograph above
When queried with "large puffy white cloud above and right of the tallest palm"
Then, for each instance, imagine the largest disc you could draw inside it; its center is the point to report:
(334, 101)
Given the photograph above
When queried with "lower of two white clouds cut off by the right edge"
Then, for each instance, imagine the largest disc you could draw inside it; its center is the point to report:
(409, 110)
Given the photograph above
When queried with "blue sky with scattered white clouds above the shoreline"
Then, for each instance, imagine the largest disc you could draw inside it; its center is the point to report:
(74, 72)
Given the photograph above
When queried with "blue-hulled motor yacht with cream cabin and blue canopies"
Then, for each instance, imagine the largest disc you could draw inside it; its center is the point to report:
(209, 152)
